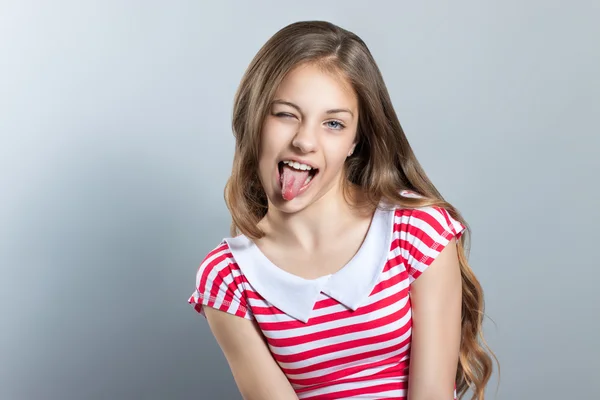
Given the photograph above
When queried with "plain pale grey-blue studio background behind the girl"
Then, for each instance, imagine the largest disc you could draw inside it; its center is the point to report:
(116, 144)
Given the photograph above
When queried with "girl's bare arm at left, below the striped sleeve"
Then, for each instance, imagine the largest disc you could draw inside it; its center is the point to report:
(256, 373)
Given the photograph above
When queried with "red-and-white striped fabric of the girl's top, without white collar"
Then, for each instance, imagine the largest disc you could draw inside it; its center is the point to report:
(339, 353)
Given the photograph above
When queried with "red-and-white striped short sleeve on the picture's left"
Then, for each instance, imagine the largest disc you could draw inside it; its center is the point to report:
(220, 285)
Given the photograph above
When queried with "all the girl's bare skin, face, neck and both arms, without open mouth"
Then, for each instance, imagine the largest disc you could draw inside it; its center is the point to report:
(299, 125)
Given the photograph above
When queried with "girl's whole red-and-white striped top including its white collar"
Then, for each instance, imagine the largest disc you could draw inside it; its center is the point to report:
(342, 336)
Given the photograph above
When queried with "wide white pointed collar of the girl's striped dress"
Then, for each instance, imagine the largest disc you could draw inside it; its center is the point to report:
(296, 296)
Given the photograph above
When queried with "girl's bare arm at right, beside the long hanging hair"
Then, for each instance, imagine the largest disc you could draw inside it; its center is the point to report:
(436, 307)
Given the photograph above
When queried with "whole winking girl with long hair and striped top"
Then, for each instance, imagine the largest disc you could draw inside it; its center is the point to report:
(346, 275)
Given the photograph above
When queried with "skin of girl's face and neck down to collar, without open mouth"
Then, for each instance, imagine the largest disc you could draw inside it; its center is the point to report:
(296, 233)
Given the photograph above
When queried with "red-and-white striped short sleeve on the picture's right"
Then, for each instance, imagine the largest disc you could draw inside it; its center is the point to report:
(423, 233)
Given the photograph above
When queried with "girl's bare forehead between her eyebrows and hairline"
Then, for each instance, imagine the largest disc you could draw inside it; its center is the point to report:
(312, 87)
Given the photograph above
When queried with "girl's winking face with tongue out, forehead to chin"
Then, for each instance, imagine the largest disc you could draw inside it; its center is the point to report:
(306, 137)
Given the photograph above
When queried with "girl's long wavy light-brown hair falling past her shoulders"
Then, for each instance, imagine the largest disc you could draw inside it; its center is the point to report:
(382, 165)
